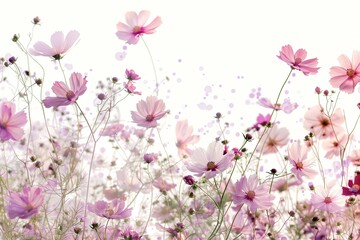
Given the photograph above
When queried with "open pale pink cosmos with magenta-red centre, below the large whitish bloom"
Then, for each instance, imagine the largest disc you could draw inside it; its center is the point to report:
(248, 191)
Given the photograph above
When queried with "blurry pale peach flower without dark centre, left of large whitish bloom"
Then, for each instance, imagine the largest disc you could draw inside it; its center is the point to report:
(184, 138)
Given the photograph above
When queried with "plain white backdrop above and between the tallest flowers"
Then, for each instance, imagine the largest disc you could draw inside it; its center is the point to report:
(229, 43)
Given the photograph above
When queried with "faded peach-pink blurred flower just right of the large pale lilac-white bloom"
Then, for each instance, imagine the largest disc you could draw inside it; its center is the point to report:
(274, 139)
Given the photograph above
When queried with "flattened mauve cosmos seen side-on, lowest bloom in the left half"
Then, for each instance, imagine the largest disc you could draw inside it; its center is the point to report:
(110, 210)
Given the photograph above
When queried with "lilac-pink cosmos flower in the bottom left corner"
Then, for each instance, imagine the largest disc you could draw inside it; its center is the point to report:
(24, 204)
